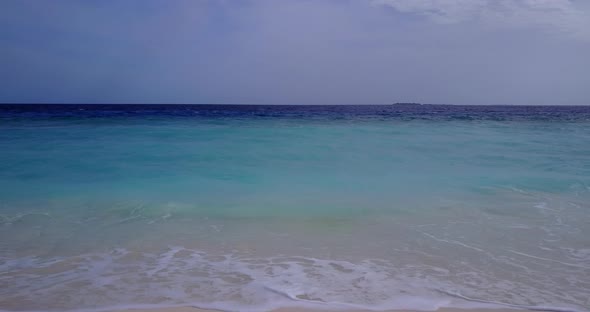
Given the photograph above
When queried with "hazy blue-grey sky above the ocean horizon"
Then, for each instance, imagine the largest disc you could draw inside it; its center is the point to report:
(522, 52)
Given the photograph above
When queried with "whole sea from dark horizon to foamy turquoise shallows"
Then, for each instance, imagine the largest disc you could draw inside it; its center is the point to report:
(253, 207)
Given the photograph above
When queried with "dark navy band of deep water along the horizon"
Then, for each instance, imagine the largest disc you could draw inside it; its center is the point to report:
(401, 112)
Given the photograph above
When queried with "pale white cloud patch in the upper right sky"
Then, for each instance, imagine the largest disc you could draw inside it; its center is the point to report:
(553, 15)
